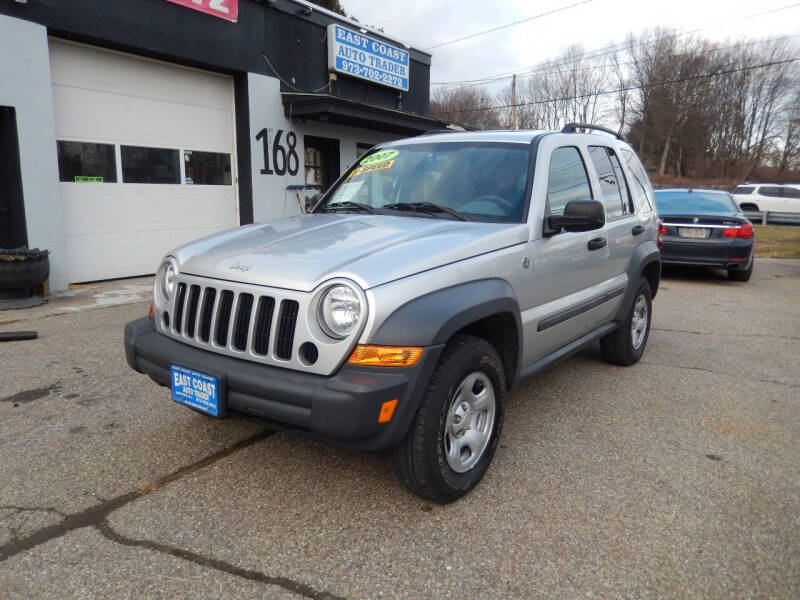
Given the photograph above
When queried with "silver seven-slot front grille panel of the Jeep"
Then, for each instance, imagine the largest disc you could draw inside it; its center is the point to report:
(251, 322)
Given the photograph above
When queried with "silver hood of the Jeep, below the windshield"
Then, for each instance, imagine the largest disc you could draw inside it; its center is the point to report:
(301, 252)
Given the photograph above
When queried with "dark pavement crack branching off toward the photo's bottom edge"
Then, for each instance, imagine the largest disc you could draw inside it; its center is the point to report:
(284, 582)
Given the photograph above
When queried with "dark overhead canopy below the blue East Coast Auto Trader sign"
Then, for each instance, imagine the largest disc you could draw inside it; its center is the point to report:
(343, 111)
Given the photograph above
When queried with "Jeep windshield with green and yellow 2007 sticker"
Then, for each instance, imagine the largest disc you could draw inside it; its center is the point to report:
(474, 181)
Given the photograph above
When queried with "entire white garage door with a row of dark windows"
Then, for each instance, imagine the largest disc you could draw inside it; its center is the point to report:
(146, 158)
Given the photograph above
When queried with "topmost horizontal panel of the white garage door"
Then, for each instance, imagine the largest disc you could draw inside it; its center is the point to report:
(87, 68)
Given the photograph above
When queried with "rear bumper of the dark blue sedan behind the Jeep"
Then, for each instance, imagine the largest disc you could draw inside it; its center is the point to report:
(707, 253)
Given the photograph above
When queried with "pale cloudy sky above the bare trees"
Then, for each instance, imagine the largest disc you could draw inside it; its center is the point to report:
(591, 23)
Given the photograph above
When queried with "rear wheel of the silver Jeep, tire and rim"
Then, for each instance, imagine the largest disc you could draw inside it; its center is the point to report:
(625, 346)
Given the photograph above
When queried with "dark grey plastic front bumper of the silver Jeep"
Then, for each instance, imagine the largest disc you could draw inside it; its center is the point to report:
(341, 409)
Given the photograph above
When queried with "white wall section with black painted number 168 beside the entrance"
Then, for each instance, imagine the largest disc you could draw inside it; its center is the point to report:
(271, 200)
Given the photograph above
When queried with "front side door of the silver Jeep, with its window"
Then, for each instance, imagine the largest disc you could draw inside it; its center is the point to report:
(568, 277)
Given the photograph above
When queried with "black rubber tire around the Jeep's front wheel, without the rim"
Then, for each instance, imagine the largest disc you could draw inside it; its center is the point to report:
(420, 462)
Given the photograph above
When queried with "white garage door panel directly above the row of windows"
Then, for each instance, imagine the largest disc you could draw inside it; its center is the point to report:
(139, 121)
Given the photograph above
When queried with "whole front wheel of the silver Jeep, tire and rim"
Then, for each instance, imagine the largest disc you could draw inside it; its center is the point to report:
(454, 435)
